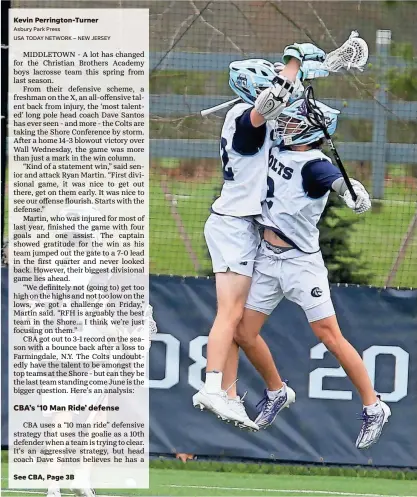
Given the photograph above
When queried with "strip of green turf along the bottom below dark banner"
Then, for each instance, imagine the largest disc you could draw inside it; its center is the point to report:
(171, 482)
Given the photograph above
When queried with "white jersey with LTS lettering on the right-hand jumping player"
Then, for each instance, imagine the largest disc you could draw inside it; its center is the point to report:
(288, 210)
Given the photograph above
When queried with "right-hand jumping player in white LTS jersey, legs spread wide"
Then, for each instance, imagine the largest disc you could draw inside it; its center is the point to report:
(289, 263)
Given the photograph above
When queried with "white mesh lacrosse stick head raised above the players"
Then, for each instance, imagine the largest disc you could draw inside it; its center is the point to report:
(353, 53)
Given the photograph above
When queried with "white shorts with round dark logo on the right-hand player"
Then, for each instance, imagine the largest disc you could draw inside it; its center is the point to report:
(301, 278)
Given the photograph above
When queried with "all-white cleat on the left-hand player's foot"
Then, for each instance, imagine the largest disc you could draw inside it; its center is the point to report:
(219, 404)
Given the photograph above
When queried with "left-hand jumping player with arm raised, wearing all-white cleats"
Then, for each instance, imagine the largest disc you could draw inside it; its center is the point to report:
(232, 237)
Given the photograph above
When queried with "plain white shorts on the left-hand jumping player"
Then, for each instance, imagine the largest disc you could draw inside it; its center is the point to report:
(232, 243)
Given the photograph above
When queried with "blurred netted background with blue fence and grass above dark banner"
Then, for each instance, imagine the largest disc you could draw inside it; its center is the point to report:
(192, 43)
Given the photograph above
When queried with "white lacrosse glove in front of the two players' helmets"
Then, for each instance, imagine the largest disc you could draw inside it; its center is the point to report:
(273, 100)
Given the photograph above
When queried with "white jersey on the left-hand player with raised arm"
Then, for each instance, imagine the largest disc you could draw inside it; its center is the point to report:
(244, 187)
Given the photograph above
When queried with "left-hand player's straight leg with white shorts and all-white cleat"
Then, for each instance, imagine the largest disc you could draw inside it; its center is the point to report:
(232, 243)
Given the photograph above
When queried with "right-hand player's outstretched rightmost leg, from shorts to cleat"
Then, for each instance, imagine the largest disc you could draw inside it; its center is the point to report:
(312, 293)
